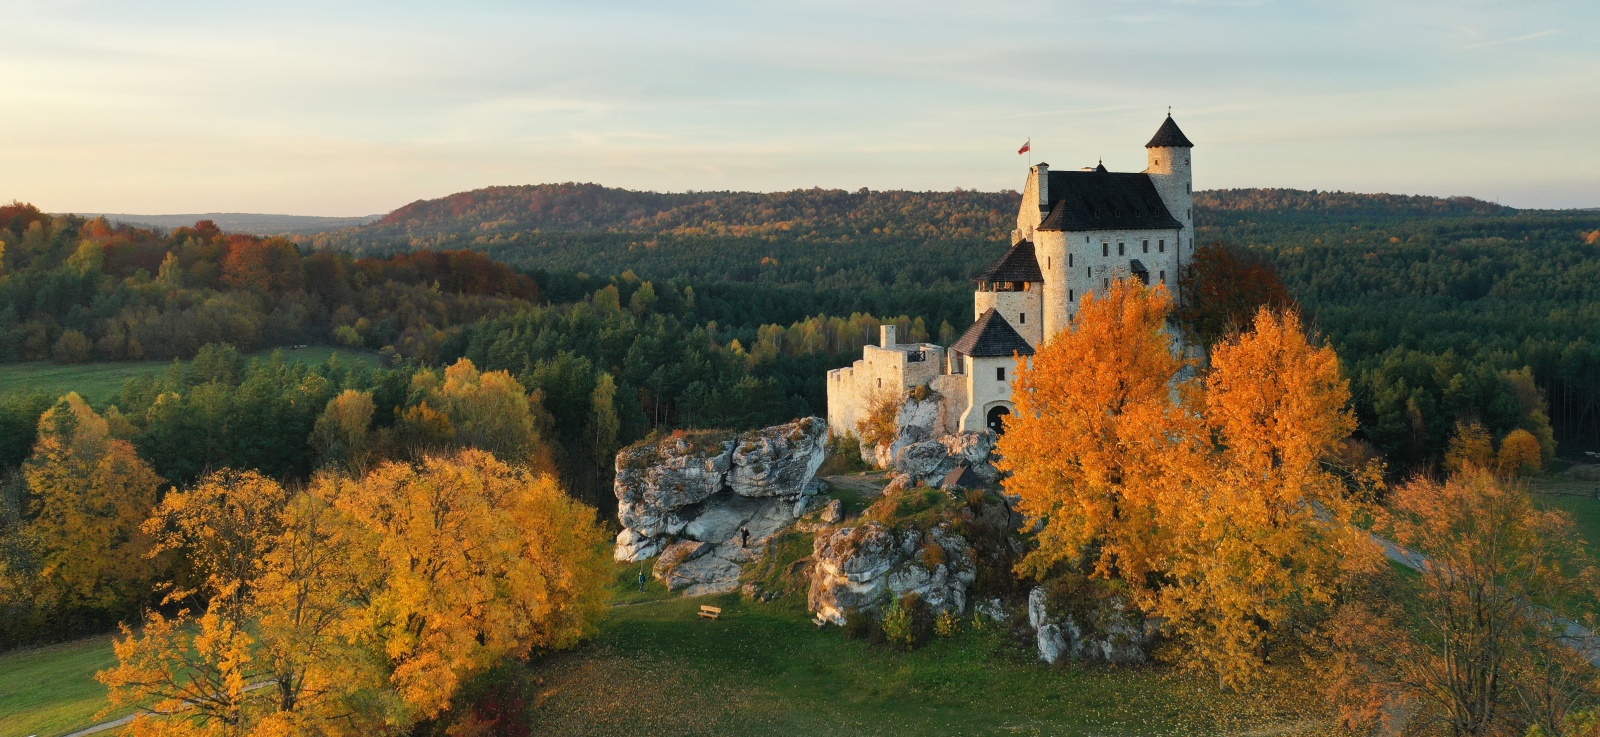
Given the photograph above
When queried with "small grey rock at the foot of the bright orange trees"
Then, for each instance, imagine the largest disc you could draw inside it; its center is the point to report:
(1106, 632)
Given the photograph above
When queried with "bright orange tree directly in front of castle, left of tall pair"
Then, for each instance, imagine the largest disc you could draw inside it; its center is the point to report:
(1092, 444)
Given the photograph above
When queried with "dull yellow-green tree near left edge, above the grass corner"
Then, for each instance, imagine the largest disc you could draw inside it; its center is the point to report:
(90, 496)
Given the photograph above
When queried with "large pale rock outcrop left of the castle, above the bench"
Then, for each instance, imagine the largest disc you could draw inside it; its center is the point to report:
(708, 490)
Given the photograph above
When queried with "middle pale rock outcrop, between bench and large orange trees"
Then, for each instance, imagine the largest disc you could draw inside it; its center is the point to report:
(862, 568)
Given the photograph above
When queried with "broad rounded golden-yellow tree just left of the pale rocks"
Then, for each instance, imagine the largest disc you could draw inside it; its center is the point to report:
(478, 560)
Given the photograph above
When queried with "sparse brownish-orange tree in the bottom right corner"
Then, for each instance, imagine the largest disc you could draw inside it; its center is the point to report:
(1479, 637)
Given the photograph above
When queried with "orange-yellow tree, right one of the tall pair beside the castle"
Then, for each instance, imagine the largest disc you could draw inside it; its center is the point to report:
(1263, 536)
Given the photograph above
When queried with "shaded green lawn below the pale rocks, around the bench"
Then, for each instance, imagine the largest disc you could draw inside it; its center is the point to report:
(764, 669)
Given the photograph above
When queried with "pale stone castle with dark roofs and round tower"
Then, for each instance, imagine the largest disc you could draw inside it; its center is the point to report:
(1076, 234)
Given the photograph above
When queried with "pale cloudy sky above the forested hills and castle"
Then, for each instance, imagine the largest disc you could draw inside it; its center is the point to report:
(356, 108)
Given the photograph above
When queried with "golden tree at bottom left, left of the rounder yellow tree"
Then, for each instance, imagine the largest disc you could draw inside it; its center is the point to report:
(274, 648)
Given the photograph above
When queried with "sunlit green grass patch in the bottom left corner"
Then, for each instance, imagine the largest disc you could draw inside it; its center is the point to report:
(52, 691)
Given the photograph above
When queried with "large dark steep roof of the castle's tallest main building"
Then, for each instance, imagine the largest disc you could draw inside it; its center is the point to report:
(1105, 201)
